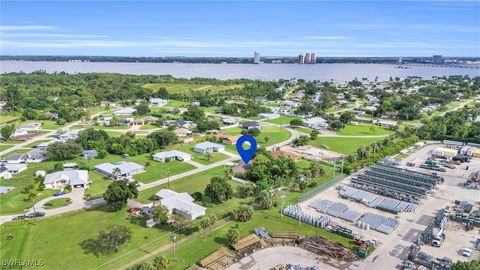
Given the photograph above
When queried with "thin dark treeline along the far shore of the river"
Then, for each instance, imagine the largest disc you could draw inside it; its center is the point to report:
(218, 60)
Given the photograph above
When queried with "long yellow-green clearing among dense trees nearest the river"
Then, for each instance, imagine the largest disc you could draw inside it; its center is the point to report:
(186, 87)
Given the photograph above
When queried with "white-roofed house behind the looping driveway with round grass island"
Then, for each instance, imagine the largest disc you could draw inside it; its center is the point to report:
(74, 178)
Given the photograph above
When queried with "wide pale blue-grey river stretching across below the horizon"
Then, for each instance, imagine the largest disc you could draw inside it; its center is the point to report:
(323, 72)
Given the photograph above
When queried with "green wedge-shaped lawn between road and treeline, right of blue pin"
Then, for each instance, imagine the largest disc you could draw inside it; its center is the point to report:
(343, 145)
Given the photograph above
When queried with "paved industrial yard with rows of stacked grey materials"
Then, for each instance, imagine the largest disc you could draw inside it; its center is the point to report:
(400, 212)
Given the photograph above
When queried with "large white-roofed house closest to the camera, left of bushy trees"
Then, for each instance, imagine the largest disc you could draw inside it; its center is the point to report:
(180, 203)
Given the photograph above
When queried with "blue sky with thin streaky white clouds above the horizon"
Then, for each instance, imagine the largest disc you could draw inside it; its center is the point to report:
(238, 28)
